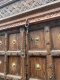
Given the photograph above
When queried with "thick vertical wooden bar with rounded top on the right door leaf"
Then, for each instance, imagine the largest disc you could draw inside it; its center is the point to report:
(50, 73)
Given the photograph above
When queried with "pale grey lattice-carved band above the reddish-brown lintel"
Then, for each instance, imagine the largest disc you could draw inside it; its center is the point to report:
(21, 6)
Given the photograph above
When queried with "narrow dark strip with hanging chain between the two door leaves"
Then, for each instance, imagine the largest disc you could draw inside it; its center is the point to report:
(27, 48)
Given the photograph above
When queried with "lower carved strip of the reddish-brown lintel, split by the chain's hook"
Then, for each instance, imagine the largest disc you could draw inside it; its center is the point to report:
(36, 18)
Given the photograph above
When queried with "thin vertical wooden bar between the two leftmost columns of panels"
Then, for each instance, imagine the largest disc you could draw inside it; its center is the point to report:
(5, 56)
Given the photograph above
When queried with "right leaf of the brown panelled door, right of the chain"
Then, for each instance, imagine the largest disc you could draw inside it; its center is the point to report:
(43, 53)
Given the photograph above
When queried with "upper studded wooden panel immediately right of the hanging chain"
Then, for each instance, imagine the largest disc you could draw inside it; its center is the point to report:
(37, 40)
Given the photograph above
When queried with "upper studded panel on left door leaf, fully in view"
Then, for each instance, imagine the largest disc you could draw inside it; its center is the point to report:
(14, 41)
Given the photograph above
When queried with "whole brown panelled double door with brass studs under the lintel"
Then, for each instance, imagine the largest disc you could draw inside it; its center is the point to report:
(30, 53)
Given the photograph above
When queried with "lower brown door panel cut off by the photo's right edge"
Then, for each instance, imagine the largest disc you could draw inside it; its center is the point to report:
(57, 67)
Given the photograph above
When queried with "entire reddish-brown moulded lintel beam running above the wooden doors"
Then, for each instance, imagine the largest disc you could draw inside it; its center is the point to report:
(33, 18)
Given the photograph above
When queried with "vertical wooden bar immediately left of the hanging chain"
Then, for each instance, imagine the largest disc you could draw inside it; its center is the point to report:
(22, 34)
